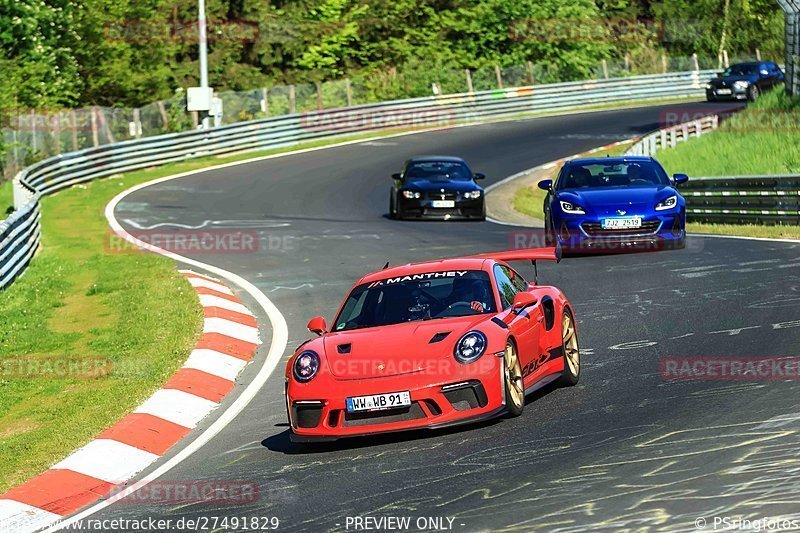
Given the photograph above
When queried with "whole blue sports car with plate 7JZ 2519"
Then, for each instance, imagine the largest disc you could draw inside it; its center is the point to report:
(614, 203)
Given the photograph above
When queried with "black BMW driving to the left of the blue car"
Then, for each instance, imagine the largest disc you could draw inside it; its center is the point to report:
(437, 187)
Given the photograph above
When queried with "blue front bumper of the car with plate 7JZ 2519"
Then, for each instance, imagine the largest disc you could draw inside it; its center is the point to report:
(585, 234)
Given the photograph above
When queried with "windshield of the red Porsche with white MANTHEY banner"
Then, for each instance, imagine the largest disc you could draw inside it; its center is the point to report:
(417, 297)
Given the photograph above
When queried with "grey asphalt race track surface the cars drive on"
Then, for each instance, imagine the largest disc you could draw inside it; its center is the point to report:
(625, 449)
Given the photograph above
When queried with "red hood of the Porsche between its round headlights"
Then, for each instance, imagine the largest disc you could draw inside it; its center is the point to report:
(397, 349)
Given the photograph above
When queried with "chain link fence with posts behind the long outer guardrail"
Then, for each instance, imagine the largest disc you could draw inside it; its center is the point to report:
(30, 136)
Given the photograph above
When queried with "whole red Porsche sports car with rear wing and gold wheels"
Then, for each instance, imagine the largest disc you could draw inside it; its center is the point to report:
(431, 345)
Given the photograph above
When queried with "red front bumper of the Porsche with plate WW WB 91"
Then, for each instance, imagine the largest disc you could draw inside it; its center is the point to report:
(319, 412)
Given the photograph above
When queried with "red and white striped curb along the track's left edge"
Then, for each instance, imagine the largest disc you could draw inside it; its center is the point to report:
(228, 343)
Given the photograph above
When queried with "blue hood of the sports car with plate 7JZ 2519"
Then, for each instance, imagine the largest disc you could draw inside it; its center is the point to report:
(610, 200)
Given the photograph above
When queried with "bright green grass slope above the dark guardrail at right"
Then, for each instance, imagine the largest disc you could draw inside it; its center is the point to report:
(740, 148)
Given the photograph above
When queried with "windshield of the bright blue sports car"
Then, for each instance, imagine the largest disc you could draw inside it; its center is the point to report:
(612, 174)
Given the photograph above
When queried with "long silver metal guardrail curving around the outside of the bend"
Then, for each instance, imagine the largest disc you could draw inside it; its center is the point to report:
(21, 232)
